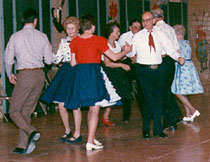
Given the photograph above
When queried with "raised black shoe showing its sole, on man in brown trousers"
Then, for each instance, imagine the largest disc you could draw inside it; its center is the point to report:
(33, 138)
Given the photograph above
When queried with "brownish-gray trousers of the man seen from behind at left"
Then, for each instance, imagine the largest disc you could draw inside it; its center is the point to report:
(24, 99)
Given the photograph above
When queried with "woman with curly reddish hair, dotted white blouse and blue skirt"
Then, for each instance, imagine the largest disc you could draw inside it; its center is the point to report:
(57, 90)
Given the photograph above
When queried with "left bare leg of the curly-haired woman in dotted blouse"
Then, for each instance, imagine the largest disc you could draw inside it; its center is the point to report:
(64, 117)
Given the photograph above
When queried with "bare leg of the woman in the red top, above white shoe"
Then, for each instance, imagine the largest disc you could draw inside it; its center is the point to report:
(92, 123)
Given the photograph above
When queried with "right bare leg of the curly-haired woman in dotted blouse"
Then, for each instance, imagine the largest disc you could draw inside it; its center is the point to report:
(77, 122)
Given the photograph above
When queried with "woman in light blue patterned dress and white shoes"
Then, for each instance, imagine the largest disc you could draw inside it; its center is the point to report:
(186, 80)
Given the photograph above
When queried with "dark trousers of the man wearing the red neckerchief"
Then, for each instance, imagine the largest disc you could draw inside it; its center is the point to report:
(149, 80)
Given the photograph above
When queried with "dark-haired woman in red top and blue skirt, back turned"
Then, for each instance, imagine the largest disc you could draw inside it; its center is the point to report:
(91, 87)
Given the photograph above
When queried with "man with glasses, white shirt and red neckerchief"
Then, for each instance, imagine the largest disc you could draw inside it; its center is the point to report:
(148, 45)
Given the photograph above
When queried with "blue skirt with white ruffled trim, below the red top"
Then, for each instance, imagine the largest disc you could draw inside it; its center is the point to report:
(89, 87)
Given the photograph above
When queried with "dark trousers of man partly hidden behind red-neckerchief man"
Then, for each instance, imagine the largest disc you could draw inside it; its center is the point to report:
(170, 107)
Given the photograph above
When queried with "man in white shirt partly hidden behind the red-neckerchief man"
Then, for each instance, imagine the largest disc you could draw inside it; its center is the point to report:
(171, 110)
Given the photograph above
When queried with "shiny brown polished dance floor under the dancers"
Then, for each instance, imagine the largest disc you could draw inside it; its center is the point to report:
(122, 143)
